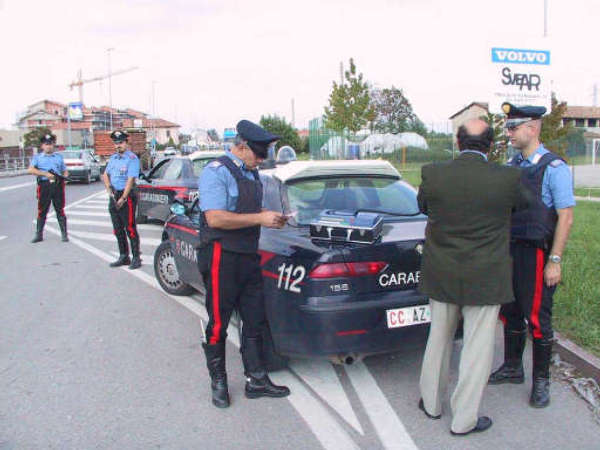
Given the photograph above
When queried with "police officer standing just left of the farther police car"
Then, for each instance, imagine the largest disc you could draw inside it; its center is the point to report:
(119, 178)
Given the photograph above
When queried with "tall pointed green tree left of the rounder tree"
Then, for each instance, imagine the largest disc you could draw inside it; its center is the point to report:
(349, 103)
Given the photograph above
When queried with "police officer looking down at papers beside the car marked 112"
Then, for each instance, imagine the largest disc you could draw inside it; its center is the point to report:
(231, 202)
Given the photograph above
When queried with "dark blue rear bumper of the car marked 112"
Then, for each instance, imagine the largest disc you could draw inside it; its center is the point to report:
(328, 327)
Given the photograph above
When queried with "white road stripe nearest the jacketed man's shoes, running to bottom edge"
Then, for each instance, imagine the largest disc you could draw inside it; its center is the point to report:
(389, 428)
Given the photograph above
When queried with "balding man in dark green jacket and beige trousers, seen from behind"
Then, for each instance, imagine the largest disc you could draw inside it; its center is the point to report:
(466, 270)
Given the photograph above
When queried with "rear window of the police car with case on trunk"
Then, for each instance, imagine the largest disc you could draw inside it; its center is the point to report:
(308, 198)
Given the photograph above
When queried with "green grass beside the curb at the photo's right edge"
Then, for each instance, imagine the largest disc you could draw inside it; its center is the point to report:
(577, 299)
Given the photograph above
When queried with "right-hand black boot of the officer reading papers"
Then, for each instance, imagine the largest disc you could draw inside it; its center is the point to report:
(258, 383)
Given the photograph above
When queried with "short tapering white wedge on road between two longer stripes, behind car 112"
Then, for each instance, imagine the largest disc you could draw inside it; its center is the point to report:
(320, 376)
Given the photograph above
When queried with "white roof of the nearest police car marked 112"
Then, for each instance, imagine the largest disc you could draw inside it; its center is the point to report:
(295, 170)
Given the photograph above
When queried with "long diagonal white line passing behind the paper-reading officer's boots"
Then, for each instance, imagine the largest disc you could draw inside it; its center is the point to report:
(325, 428)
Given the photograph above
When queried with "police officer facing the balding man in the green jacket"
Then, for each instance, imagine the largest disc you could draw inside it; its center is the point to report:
(538, 238)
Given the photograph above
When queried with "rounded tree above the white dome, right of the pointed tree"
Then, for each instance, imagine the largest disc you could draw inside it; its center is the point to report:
(393, 112)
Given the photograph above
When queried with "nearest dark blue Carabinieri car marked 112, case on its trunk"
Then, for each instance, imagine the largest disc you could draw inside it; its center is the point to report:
(340, 279)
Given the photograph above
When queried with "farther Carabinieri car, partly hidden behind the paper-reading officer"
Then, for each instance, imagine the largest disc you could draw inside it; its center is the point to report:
(171, 179)
